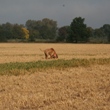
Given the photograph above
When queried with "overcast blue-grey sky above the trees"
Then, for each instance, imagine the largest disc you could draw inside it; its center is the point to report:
(95, 12)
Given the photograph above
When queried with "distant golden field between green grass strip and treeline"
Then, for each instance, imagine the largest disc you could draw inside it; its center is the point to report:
(24, 52)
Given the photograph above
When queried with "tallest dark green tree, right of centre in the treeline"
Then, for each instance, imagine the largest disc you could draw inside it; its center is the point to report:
(79, 31)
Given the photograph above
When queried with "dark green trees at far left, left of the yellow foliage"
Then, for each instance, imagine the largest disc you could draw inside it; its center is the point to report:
(10, 31)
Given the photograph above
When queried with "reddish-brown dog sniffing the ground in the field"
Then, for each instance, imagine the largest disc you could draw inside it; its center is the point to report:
(50, 53)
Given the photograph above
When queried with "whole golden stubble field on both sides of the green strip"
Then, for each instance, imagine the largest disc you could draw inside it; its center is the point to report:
(78, 88)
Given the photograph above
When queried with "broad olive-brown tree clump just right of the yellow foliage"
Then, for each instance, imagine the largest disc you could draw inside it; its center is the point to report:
(42, 29)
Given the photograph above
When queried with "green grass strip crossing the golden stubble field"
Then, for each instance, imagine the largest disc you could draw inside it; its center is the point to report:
(12, 68)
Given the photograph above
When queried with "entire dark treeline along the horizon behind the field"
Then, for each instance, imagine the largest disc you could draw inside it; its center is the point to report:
(46, 30)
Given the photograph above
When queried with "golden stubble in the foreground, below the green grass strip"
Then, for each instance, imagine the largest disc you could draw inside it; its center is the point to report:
(71, 89)
